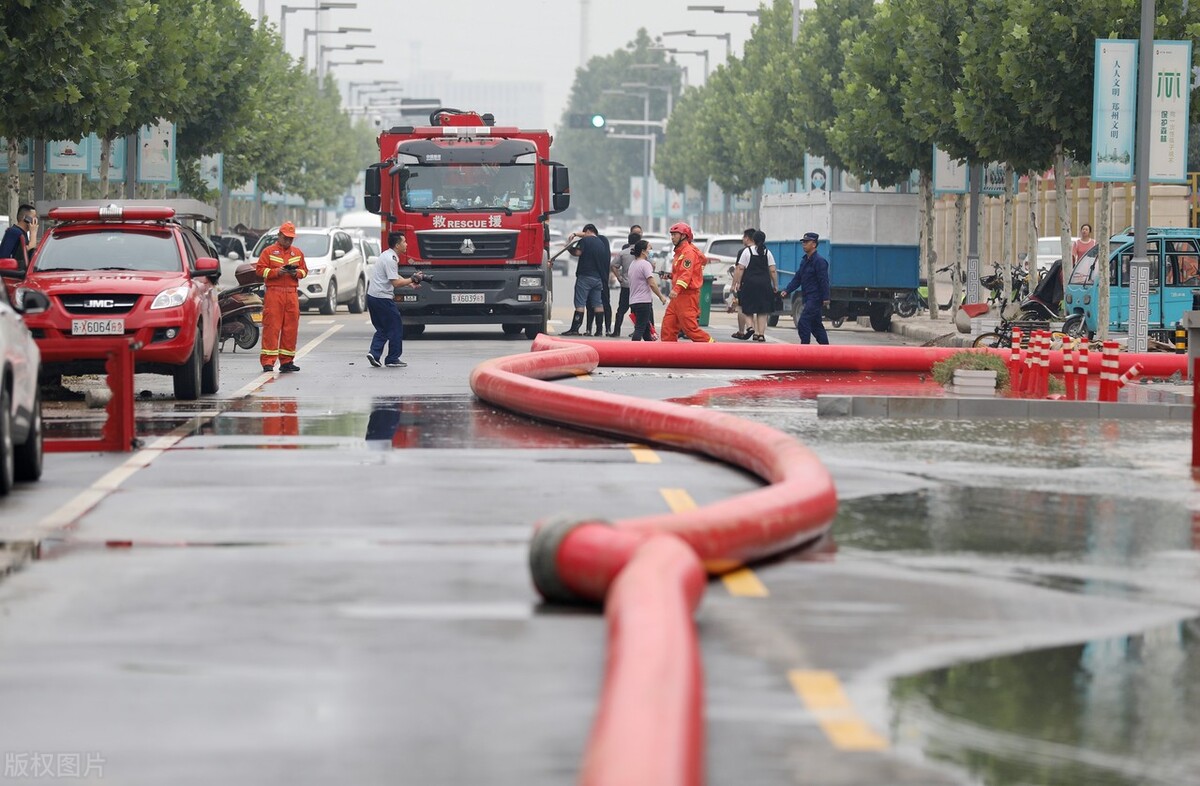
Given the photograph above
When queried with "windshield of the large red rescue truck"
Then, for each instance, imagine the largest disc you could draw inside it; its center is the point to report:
(467, 188)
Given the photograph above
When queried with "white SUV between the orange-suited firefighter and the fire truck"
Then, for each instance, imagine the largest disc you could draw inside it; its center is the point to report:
(338, 272)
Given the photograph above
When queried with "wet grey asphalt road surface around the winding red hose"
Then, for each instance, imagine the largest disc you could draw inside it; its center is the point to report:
(322, 578)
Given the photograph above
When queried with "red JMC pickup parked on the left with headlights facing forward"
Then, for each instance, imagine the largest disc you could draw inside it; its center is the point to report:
(129, 269)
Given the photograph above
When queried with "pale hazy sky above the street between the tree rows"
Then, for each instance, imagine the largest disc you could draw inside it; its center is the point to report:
(511, 40)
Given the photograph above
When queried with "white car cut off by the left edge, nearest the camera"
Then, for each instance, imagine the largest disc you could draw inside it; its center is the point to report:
(21, 404)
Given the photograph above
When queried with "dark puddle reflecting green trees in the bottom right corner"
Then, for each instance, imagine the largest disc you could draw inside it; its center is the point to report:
(1114, 712)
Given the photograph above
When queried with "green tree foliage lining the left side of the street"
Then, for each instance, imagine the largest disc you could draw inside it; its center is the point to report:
(75, 68)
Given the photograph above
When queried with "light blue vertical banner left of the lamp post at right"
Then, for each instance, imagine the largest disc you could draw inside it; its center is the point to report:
(1114, 111)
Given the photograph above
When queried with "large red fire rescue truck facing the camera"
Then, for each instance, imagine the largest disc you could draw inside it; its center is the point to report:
(473, 201)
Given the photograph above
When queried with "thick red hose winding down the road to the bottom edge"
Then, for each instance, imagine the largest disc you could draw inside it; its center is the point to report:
(650, 571)
